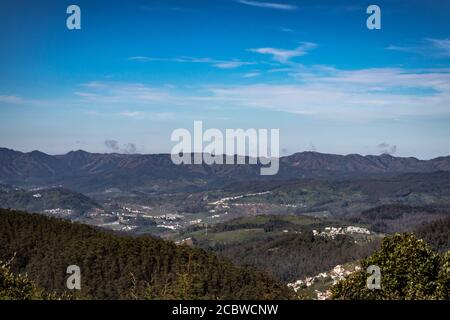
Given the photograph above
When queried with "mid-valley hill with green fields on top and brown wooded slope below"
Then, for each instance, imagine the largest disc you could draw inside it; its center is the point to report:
(284, 245)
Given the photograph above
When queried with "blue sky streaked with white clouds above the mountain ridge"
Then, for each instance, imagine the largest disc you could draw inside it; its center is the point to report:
(137, 70)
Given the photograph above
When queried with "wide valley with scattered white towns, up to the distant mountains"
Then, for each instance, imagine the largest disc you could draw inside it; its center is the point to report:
(304, 230)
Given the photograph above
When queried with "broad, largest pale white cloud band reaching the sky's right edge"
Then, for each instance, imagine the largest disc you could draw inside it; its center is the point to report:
(367, 94)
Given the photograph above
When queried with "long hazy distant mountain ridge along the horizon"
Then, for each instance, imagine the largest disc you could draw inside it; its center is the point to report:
(84, 171)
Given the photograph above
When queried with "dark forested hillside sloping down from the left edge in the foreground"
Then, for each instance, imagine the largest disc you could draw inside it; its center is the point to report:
(121, 267)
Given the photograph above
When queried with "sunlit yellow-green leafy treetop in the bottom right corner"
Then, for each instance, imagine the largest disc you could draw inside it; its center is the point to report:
(410, 269)
